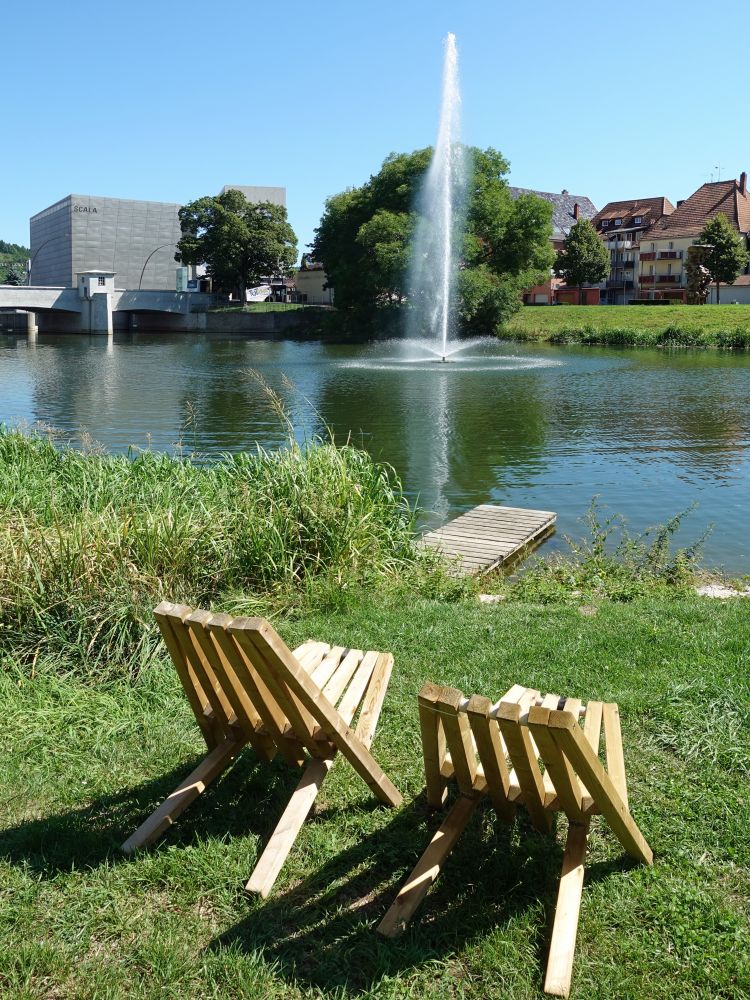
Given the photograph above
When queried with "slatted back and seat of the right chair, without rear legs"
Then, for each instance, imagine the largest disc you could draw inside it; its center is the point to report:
(497, 748)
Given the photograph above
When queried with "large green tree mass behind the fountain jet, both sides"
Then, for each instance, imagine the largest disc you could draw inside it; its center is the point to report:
(365, 235)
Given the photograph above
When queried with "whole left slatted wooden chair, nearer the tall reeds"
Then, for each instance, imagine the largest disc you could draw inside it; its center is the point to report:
(245, 686)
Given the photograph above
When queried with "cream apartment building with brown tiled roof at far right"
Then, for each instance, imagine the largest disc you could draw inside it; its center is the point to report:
(664, 247)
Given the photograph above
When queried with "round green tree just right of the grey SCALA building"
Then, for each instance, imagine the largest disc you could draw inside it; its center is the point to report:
(240, 243)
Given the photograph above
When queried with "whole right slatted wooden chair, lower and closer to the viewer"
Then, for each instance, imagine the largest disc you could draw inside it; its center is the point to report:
(507, 738)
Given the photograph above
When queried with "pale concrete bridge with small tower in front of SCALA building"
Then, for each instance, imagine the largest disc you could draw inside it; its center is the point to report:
(64, 309)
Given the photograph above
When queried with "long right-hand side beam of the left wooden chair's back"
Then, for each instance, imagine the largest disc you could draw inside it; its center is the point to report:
(320, 708)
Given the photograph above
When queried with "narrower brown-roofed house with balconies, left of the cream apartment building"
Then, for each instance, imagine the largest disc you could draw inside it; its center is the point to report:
(621, 224)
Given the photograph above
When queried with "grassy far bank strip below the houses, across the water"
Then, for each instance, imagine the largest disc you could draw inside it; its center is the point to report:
(724, 326)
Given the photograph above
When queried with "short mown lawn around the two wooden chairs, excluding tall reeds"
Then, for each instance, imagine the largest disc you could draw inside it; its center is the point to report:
(83, 763)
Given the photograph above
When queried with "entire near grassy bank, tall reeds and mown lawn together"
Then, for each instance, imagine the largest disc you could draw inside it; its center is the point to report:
(96, 733)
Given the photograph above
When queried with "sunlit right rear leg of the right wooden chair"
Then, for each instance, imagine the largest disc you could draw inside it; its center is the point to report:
(565, 927)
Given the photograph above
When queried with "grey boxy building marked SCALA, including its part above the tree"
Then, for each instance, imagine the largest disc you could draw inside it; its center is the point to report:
(136, 240)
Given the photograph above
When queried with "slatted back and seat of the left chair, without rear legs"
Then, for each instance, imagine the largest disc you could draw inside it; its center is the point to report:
(243, 681)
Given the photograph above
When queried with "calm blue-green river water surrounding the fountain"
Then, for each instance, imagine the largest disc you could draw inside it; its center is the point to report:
(651, 432)
